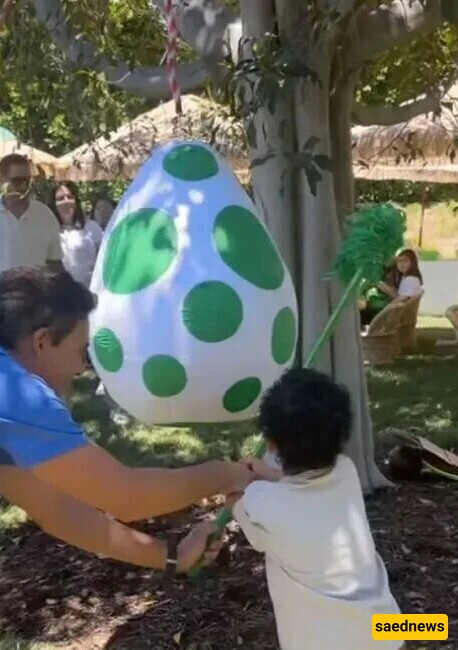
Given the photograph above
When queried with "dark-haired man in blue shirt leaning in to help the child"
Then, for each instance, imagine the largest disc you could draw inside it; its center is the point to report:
(50, 468)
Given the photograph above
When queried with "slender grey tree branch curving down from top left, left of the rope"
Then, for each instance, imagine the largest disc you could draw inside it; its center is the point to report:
(149, 82)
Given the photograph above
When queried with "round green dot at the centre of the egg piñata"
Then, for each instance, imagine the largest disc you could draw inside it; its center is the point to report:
(212, 312)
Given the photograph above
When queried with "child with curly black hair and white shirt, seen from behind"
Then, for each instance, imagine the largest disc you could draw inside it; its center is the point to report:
(324, 574)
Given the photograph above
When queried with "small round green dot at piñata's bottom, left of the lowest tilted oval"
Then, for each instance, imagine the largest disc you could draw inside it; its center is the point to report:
(164, 376)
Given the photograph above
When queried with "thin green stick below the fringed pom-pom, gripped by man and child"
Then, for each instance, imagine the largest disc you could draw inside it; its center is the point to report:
(225, 515)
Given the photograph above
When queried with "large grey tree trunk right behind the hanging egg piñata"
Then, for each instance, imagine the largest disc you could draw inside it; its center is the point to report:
(297, 215)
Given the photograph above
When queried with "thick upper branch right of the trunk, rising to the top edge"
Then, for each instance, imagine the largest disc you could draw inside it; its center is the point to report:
(390, 25)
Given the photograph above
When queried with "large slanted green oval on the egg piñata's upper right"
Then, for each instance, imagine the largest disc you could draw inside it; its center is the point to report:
(246, 247)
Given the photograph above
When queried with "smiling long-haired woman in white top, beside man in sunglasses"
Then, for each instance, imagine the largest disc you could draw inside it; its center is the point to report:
(80, 239)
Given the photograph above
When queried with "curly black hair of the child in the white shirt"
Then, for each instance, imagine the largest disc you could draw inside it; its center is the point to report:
(308, 417)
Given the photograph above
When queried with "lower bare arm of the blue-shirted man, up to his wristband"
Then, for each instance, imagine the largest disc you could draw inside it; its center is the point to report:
(78, 524)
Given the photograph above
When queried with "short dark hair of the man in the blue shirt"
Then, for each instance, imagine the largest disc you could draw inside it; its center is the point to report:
(33, 297)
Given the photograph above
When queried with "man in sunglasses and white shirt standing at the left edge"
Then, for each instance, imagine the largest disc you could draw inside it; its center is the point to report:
(29, 232)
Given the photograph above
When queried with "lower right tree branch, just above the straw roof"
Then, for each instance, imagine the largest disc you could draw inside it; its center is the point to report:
(387, 115)
